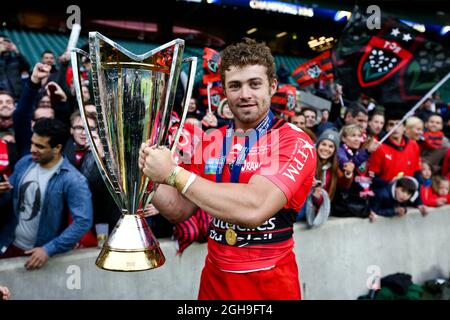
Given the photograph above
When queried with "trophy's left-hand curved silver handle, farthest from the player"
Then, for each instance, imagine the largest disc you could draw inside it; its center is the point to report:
(74, 55)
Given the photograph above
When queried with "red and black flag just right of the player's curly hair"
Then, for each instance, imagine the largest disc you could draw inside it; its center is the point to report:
(314, 70)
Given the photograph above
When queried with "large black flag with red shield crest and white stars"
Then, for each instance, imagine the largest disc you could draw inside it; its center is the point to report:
(395, 65)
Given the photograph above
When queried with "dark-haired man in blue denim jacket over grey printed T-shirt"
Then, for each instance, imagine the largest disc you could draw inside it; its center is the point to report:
(42, 187)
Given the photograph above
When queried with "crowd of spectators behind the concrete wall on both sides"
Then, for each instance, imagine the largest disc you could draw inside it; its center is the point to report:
(52, 193)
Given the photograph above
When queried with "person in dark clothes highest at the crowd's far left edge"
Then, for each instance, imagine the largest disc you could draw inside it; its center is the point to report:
(12, 67)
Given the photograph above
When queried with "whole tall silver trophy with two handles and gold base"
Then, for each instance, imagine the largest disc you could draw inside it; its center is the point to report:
(134, 97)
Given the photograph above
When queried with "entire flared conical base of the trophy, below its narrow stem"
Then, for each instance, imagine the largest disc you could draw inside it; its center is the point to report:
(131, 247)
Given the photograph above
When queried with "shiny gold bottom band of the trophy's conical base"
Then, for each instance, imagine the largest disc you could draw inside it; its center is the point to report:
(128, 260)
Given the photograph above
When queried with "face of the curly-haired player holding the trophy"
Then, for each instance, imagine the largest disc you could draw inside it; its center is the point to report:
(249, 94)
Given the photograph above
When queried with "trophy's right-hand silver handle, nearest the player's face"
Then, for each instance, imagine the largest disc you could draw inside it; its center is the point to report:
(187, 97)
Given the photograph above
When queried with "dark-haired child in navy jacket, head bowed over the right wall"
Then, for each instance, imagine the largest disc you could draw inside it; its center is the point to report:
(394, 198)
